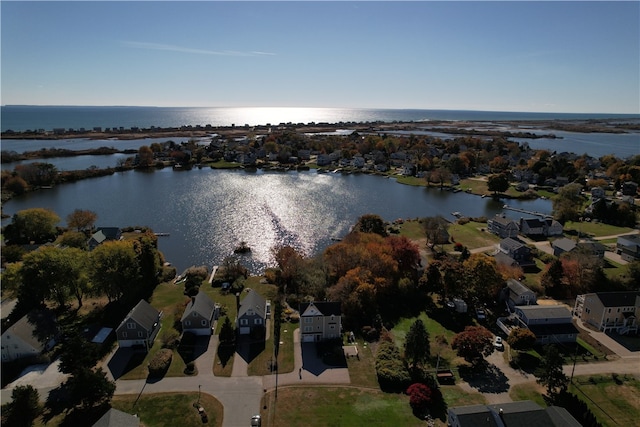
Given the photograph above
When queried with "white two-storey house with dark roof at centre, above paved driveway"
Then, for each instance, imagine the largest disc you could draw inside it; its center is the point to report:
(320, 321)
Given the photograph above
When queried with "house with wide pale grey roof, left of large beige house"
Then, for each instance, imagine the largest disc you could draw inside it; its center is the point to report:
(550, 323)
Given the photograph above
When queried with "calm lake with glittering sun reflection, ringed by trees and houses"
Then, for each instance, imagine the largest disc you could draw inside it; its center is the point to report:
(208, 212)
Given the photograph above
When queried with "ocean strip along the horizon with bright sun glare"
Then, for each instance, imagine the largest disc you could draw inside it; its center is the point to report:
(22, 118)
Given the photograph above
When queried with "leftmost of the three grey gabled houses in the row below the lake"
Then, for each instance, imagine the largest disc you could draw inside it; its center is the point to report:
(140, 327)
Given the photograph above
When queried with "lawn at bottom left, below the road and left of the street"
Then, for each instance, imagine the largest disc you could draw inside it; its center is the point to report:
(171, 409)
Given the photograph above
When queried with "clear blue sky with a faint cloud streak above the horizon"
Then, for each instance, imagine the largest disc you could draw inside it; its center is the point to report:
(497, 56)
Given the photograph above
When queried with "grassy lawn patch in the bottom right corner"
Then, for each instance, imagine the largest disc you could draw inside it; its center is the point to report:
(614, 401)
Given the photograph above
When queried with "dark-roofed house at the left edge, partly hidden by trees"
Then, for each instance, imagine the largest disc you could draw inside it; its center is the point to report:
(21, 340)
